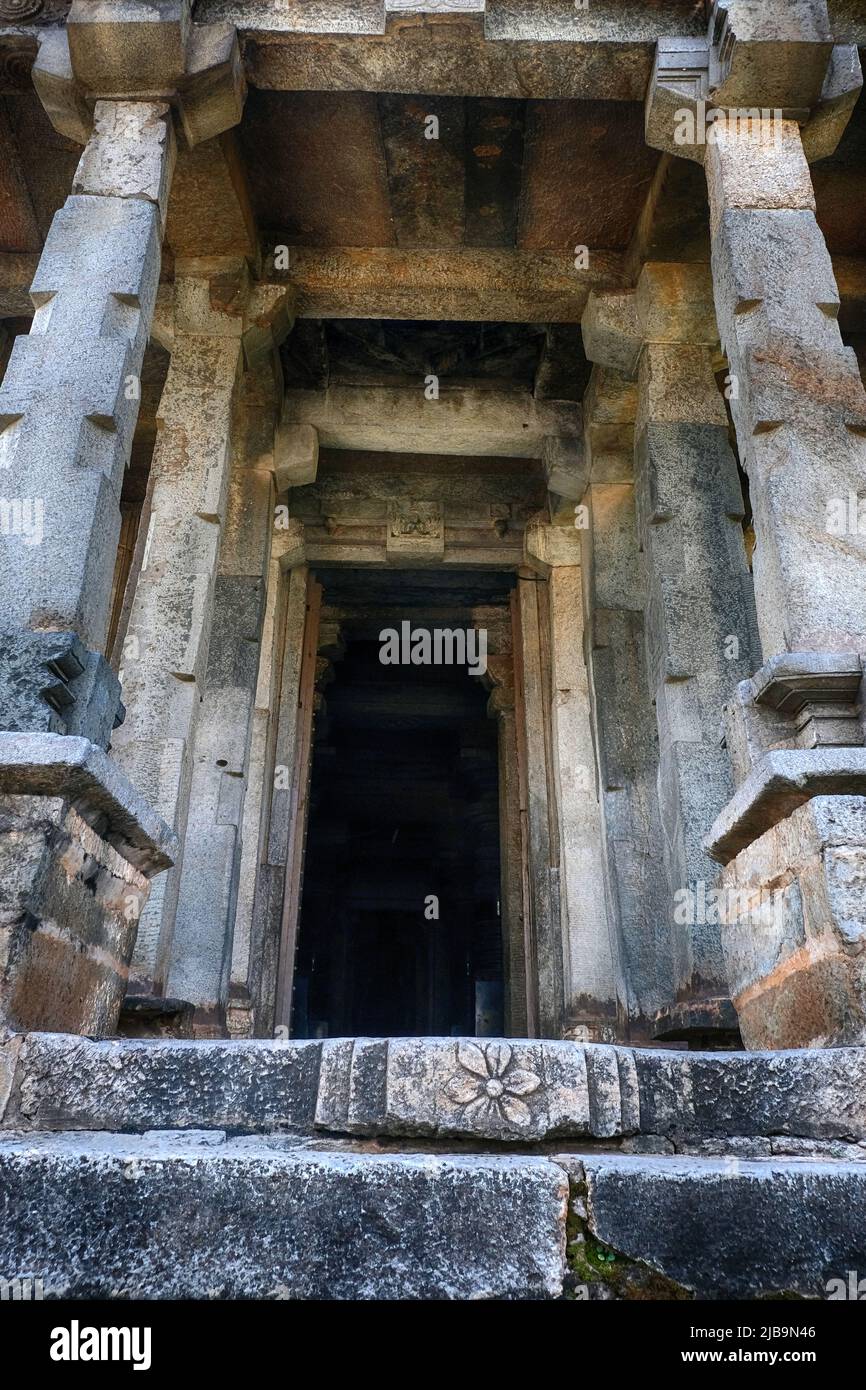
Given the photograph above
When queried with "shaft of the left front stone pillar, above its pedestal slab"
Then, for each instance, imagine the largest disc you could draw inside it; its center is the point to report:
(69, 408)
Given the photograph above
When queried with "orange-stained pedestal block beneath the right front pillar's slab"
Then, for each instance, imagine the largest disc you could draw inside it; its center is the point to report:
(794, 942)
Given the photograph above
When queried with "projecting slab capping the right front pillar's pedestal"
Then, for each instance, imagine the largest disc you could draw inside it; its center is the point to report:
(783, 780)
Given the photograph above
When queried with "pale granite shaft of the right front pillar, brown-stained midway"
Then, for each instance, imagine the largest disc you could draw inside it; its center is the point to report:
(801, 405)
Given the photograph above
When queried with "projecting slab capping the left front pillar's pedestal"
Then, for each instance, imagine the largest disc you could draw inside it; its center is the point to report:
(74, 769)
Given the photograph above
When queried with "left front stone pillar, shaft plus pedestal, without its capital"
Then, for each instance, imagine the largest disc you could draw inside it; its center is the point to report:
(79, 846)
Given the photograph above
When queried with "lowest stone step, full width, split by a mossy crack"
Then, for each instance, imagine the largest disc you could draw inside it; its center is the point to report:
(202, 1216)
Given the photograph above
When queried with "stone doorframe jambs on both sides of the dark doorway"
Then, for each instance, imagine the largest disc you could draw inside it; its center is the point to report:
(541, 850)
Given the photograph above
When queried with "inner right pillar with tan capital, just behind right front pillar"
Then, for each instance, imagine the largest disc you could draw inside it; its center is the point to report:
(700, 618)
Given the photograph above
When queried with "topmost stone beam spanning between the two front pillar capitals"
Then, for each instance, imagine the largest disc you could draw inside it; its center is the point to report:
(496, 49)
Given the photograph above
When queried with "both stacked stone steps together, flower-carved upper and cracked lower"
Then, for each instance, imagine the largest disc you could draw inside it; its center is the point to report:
(429, 1168)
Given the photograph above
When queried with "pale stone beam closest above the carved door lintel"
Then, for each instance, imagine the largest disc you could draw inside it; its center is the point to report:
(473, 422)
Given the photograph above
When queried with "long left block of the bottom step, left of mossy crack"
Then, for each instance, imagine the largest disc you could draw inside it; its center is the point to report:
(263, 1220)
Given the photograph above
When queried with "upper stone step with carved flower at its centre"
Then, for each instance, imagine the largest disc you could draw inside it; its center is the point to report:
(507, 1092)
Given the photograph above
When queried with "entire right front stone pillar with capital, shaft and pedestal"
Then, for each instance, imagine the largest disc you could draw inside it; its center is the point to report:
(793, 837)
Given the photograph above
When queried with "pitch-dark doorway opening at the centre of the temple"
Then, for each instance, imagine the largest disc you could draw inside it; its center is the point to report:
(400, 921)
